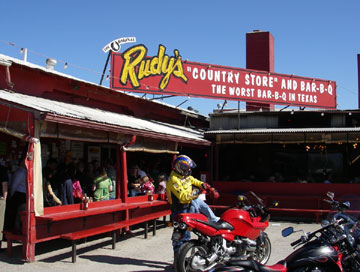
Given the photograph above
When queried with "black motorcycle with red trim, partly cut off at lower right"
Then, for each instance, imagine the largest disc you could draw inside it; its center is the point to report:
(333, 247)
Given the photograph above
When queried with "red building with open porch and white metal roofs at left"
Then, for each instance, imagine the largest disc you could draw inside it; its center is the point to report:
(77, 120)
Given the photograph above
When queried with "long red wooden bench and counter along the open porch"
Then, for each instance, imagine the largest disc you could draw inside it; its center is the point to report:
(71, 223)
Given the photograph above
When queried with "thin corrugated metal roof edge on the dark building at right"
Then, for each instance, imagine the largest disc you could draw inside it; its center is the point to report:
(285, 130)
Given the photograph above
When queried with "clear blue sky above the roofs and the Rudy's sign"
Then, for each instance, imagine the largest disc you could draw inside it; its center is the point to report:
(319, 39)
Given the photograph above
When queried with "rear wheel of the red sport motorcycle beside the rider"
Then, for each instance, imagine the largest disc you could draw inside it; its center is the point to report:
(191, 257)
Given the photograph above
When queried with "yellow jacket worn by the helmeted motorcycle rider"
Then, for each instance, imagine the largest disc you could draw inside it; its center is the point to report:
(180, 187)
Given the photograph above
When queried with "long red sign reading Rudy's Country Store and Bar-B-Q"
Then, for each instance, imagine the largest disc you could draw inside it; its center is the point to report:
(134, 71)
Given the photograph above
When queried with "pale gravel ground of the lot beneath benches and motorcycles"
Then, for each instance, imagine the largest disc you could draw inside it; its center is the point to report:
(131, 254)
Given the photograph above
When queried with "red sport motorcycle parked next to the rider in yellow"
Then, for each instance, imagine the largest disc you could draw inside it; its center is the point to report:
(238, 233)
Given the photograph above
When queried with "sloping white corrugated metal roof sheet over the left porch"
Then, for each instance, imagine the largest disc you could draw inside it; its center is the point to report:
(100, 116)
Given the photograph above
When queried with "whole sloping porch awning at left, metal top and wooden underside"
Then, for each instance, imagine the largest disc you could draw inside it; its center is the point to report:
(76, 122)
